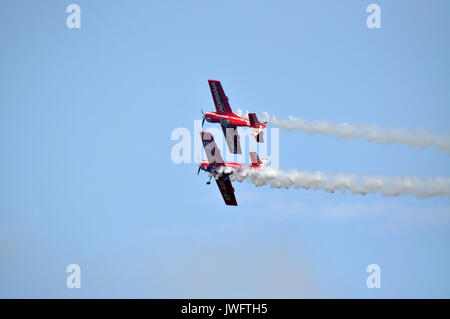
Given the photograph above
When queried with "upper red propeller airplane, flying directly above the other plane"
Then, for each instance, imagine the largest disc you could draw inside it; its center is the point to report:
(230, 121)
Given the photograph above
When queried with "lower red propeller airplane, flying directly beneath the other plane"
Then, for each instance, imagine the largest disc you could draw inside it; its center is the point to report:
(215, 161)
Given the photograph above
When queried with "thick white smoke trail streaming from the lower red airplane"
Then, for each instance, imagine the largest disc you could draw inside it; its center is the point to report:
(356, 184)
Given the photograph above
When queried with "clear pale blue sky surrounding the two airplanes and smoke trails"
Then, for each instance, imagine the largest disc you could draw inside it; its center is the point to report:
(86, 175)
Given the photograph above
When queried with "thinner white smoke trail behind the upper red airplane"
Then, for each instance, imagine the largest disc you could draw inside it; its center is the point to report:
(371, 133)
